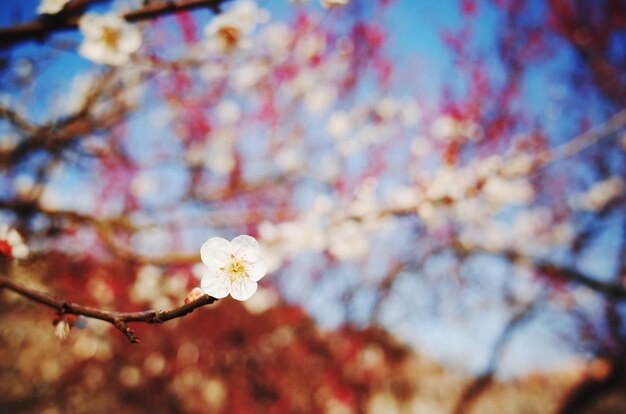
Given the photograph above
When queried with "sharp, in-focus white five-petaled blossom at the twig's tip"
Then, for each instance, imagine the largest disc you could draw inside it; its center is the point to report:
(232, 267)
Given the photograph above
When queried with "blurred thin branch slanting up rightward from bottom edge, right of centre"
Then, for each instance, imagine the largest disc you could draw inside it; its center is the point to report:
(475, 388)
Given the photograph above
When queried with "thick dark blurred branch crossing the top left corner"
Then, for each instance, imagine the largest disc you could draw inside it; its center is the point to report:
(44, 26)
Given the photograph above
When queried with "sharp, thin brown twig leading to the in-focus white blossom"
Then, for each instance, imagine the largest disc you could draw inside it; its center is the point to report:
(118, 319)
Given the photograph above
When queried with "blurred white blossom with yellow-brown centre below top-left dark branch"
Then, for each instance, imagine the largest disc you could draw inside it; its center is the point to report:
(109, 39)
